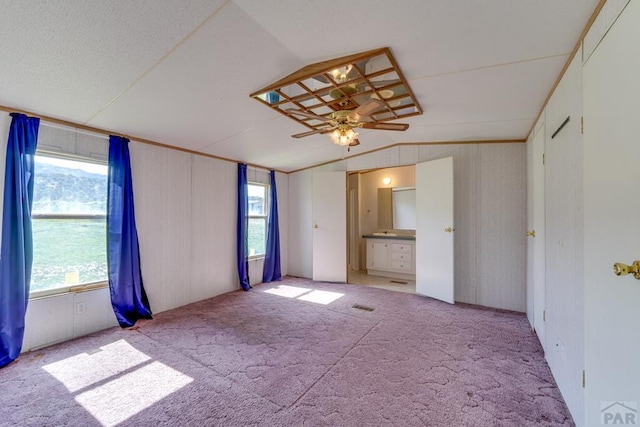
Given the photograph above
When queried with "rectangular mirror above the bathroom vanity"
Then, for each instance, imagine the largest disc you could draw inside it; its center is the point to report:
(397, 208)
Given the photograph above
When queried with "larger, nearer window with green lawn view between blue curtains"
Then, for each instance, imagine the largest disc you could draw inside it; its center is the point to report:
(69, 224)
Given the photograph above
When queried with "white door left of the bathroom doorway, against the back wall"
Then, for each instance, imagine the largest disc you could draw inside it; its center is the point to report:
(329, 210)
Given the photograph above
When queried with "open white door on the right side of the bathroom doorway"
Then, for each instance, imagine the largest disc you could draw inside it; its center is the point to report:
(435, 229)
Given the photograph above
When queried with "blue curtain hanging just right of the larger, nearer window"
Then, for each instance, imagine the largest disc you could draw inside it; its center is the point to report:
(128, 298)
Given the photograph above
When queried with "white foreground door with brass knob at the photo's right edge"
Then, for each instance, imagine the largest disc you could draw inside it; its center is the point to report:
(612, 222)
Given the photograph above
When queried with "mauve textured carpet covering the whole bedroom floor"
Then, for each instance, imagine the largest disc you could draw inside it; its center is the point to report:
(294, 353)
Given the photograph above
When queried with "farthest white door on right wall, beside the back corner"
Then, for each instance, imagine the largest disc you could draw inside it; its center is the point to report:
(536, 244)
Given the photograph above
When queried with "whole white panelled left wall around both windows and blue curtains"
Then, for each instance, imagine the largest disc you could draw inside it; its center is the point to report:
(186, 217)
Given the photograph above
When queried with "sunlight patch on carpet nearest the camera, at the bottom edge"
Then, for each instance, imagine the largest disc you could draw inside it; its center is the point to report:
(129, 394)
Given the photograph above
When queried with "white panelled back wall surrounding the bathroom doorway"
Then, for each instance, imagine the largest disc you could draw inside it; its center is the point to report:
(490, 216)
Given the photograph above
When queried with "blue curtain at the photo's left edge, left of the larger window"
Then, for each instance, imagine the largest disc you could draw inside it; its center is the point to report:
(16, 253)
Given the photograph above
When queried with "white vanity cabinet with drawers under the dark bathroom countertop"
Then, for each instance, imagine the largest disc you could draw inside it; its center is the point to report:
(390, 257)
